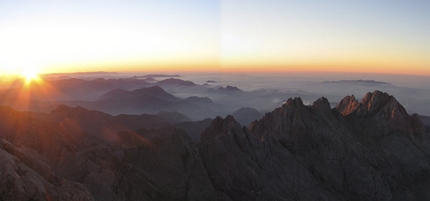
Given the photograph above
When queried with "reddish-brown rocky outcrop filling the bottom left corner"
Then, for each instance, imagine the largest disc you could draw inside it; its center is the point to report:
(26, 175)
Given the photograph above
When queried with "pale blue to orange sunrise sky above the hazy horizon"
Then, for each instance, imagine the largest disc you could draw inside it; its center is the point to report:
(211, 36)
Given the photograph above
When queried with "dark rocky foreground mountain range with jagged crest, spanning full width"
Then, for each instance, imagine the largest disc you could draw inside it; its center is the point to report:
(360, 150)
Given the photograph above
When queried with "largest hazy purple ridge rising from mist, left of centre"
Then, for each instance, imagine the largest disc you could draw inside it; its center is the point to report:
(150, 100)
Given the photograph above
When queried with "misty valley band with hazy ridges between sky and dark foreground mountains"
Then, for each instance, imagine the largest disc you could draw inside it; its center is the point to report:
(201, 96)
